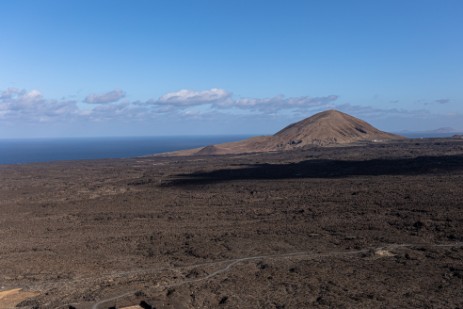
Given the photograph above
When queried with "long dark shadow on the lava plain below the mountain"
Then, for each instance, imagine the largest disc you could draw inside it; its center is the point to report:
(327, 169)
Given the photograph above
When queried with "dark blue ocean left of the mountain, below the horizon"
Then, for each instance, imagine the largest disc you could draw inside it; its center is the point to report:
(18, 151)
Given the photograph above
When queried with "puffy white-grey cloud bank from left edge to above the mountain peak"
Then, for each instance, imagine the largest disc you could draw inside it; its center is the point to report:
(32, 106)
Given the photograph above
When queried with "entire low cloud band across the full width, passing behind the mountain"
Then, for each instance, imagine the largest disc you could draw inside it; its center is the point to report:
(20, 107)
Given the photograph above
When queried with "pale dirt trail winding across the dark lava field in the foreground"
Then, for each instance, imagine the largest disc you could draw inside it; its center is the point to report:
(303, 254)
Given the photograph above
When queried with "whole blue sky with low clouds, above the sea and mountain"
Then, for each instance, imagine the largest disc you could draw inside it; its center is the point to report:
(122, 68)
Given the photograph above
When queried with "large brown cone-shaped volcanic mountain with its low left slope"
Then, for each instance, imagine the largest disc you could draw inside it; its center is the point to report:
(328, 128)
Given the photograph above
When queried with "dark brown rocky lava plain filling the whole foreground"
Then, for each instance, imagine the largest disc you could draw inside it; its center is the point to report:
(376, 225)
